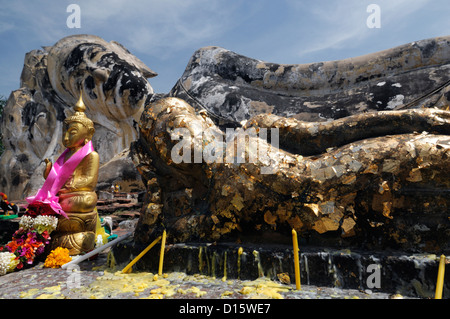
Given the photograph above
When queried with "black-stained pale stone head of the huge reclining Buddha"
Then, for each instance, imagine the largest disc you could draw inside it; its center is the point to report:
(113, 79)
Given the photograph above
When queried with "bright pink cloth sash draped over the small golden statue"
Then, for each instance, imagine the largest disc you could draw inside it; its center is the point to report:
(58, 176)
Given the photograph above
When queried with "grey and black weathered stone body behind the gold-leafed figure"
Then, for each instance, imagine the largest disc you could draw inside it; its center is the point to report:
(233, 88)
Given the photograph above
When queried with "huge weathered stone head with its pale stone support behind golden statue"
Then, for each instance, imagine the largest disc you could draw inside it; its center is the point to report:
(115, 90)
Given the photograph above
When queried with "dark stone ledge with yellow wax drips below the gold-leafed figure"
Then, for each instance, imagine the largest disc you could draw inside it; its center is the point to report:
(408, 274)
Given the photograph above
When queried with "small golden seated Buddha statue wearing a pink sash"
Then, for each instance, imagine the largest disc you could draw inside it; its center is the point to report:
(77, 196)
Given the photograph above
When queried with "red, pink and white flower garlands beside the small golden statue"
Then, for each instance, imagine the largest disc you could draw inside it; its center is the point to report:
(30, 239)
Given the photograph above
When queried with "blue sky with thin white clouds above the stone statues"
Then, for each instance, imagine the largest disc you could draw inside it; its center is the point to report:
(165, 33)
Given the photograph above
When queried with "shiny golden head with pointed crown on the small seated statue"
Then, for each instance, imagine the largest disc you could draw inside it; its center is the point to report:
(78, 128)
